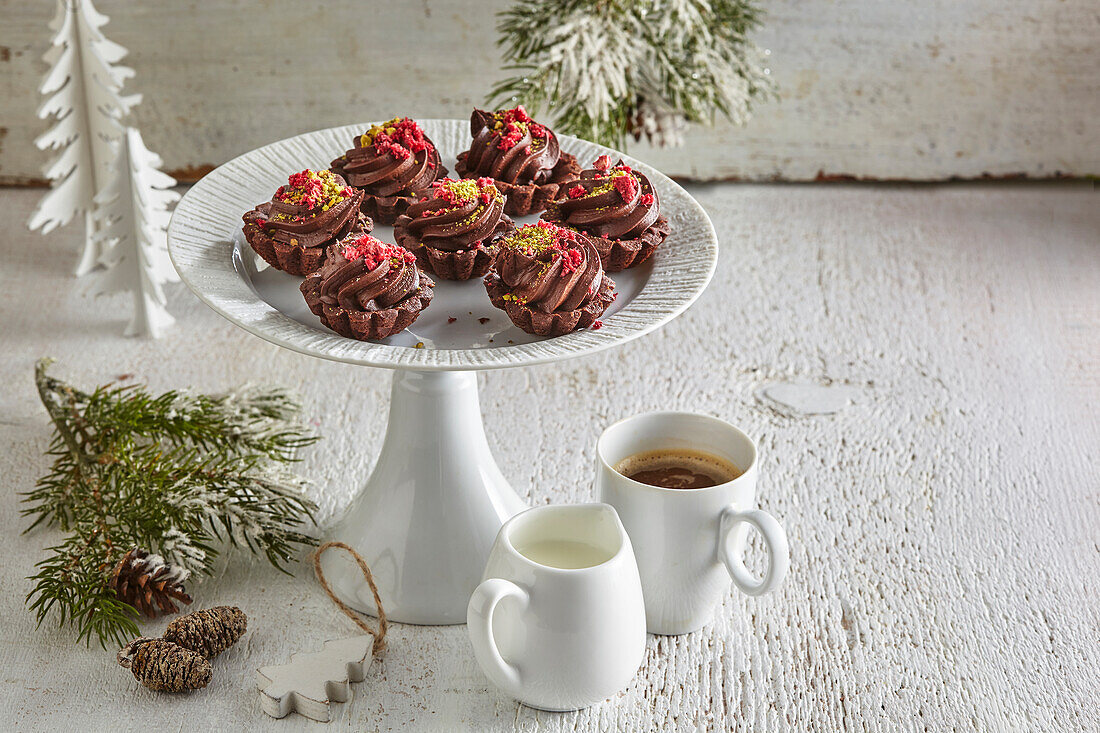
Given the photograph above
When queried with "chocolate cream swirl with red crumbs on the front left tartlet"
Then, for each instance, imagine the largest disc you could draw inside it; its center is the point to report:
(366, 275)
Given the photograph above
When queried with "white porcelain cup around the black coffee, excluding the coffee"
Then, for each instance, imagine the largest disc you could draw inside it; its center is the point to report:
(689, 543)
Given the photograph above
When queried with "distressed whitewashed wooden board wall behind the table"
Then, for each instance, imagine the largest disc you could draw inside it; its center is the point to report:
(928, 90)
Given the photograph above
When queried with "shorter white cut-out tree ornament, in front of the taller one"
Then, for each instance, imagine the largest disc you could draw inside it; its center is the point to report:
(133, 215)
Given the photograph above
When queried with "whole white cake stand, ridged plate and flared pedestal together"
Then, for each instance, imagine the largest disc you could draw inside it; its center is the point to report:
(428, 516)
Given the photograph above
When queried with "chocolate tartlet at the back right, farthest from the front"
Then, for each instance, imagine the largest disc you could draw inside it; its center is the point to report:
(522, 156)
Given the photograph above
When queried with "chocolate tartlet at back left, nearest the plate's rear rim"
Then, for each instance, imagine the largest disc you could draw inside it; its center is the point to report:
(394, 163)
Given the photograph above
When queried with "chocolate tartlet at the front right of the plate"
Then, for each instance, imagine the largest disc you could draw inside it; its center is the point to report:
(549, 280)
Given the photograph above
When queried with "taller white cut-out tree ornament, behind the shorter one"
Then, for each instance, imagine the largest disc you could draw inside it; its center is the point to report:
(83, 91)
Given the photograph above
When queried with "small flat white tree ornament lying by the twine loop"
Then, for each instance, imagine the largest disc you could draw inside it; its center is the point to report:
(311, 683)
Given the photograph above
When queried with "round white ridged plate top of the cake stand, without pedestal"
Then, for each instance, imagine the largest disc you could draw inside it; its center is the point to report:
(460, 330)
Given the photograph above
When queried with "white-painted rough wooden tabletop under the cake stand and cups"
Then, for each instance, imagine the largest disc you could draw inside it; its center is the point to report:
(920, 364)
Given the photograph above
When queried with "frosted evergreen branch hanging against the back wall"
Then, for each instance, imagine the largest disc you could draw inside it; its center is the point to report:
(608, 69)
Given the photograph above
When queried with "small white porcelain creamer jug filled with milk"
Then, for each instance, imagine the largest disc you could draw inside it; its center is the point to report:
(558, 621)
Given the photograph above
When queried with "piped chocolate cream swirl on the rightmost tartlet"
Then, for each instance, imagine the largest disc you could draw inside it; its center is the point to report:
(618, 203)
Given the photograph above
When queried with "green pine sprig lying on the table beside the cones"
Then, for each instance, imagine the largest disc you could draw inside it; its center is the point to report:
(175, 474)
